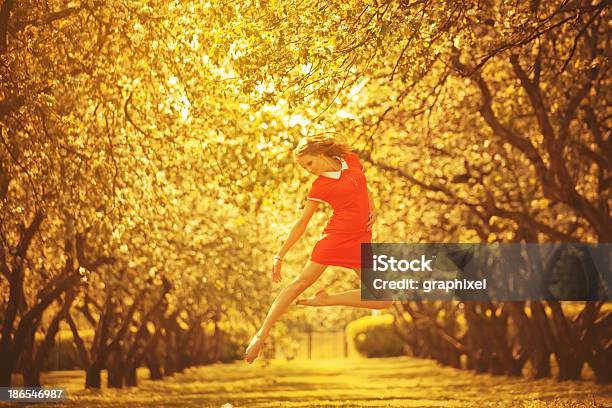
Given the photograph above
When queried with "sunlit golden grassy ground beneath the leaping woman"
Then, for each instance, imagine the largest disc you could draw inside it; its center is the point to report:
(396, 382)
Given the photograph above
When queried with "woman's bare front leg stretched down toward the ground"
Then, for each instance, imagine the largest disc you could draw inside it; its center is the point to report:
(309, 275)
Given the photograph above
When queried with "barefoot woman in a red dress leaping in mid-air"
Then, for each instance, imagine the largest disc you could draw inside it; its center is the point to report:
(341, 184)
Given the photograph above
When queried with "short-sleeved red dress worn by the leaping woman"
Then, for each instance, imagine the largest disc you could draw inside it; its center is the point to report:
(340, 243)
